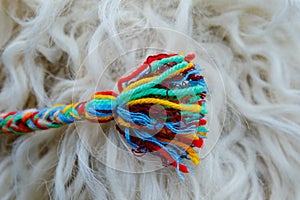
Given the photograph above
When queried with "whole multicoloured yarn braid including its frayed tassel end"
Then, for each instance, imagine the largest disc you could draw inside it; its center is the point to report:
(160, 110)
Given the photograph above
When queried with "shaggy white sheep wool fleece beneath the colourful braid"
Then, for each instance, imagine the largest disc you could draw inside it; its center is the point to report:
(62, 51)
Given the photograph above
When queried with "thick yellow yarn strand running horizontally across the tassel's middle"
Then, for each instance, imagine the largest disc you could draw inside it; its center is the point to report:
(192, 108)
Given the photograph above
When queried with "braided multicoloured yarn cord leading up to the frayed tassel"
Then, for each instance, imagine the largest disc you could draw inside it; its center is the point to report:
(97, 109)
